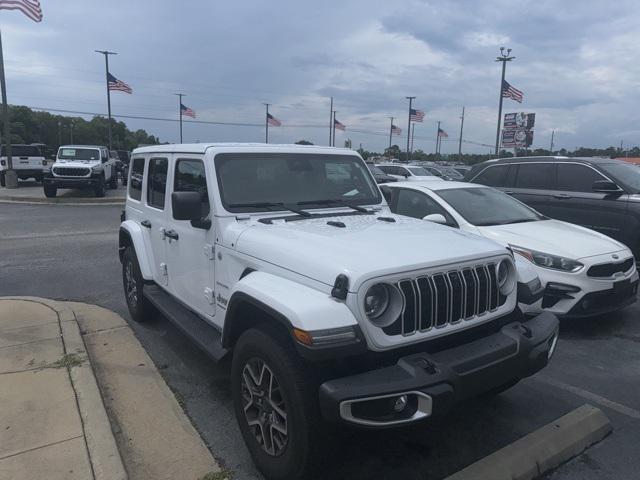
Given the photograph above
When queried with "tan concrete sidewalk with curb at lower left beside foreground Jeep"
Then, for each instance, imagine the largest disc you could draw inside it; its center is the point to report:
(53, 420)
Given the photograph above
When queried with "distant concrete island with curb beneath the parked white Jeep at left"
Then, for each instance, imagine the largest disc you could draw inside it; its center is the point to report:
(32, 192)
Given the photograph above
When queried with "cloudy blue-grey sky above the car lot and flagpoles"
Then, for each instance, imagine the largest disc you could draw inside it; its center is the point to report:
(577, 64)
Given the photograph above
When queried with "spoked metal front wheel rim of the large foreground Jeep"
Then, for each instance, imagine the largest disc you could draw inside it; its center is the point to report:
(264, 406)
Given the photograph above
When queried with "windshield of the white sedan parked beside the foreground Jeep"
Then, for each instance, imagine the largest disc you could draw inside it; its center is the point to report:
(486, 206)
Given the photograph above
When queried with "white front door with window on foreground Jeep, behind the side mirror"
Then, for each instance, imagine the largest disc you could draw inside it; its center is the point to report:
(190, 251)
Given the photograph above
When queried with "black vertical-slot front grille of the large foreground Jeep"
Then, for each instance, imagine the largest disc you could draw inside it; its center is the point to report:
(446, 298)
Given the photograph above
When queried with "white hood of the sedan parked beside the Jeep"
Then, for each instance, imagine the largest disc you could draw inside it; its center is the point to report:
(553, 237)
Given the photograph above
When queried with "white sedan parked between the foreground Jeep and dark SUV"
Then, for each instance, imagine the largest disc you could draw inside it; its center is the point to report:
(584, 272)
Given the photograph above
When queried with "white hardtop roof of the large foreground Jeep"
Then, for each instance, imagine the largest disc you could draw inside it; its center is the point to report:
(241, 147)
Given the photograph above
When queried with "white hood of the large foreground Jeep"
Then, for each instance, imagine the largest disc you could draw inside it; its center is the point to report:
(364, 248)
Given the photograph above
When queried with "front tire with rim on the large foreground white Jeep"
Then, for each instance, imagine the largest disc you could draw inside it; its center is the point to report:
(275, 405)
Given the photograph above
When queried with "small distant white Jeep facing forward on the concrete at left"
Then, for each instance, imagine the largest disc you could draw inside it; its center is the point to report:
(81, 166)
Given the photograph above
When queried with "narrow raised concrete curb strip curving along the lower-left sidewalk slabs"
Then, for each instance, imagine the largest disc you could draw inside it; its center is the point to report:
(104, 455)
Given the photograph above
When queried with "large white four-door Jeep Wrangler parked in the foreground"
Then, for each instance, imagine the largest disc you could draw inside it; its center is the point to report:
(288, 258)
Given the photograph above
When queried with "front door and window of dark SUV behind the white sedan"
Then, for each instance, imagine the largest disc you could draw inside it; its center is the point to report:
(573, 200)
